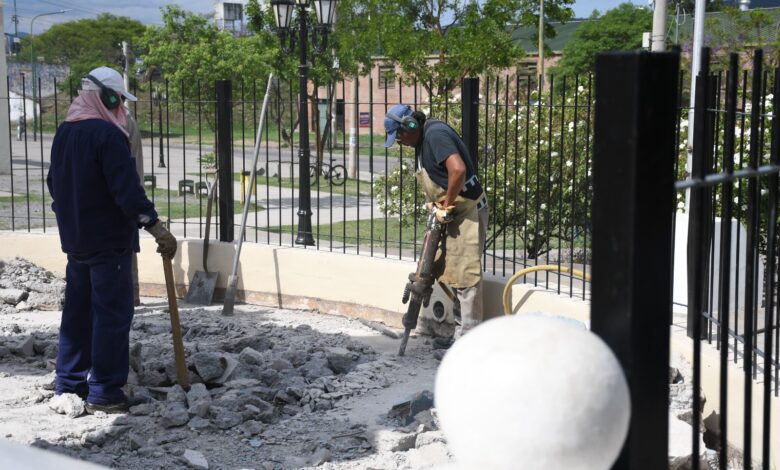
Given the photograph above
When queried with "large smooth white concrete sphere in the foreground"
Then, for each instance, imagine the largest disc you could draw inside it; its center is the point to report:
(532, 393)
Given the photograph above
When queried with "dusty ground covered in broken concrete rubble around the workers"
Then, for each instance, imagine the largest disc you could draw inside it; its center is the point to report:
(295, 389)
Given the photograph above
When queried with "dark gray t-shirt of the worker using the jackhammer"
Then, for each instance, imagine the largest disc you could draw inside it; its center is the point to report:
(438, 143)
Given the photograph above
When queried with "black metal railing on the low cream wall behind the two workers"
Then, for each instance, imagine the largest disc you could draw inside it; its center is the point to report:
(533, 155)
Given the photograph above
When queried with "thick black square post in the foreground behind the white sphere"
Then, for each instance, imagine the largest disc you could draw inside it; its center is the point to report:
(633, 178)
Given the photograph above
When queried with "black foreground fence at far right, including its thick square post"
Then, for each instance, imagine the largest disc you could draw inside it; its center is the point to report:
(730, 187)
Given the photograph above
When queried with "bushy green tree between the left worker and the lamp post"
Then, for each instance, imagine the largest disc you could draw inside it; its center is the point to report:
(191, 54)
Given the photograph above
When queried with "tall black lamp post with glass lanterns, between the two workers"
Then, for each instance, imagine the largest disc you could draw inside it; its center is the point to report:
(283, 10)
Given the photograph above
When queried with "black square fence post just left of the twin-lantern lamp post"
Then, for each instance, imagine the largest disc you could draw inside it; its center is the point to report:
(224, 93)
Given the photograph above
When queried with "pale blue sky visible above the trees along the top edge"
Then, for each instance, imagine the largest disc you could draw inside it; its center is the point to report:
(148, 11)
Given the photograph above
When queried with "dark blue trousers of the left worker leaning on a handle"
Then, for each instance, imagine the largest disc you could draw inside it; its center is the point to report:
(93, 355)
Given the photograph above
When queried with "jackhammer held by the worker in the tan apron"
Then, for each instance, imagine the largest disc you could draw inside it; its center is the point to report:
(420, 286)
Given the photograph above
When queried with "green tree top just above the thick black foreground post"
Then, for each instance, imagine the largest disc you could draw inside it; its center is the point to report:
(618, 29)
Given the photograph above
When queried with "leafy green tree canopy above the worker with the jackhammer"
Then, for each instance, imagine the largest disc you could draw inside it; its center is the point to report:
(439, 42)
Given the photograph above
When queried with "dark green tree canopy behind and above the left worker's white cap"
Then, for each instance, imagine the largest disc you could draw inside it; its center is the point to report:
(85, 44)
